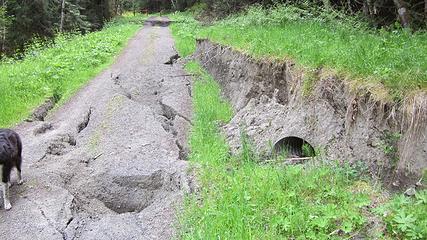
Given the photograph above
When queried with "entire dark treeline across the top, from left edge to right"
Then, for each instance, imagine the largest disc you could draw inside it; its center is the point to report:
(22, 20)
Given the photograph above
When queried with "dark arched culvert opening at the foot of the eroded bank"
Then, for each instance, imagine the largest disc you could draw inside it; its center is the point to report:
(294, 147)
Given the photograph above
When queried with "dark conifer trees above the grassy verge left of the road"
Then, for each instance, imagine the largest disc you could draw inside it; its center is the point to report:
(22, 20)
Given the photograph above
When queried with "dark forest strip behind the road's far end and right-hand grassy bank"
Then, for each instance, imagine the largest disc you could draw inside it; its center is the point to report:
(410, 13)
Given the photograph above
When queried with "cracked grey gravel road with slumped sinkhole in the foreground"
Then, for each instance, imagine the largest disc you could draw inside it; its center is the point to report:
(109, 164)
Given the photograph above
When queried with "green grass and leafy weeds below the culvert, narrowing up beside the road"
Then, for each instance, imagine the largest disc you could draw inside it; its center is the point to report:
(240, 198)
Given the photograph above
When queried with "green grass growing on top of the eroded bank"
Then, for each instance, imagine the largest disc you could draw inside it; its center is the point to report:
(394, 59)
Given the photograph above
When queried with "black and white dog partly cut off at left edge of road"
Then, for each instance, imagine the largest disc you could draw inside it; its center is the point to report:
(10, 157)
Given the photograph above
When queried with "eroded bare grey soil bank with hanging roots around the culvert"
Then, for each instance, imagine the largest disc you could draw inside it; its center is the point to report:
(343, 122)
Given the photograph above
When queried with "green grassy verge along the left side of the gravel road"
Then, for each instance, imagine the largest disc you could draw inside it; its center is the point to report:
(60, 69)
